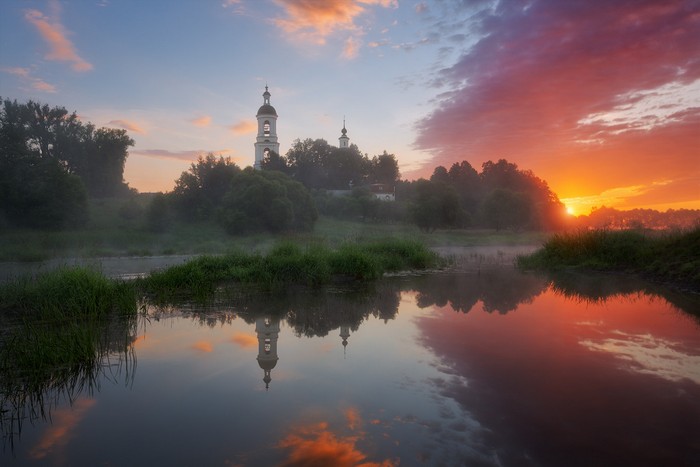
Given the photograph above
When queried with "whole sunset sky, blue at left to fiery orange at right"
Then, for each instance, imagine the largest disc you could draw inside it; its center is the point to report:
(601, 99)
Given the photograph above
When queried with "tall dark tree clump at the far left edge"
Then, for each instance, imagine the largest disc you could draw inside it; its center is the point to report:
(50, 162)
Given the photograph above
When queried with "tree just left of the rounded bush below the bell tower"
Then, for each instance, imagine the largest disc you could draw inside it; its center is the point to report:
(200, 190)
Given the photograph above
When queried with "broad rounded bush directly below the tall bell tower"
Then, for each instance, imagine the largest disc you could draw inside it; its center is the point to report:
(266, 201)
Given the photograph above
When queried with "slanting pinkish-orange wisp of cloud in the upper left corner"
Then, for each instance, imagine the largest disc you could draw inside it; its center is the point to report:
(55, 35)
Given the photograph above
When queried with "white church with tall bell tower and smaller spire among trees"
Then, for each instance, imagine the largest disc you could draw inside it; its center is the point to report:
(267, 141)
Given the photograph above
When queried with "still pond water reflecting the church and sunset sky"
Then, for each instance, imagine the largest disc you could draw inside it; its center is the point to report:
(492, 369)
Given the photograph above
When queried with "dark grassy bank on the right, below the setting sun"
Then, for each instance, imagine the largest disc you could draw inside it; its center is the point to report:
(669, 257)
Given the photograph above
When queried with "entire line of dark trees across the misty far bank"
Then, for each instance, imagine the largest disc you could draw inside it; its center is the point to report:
(50, 162)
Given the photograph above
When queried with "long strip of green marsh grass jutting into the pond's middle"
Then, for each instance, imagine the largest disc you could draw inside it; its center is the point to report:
(288, 262)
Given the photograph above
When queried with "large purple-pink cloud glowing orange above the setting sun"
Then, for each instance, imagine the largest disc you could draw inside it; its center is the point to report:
(524, 92)
